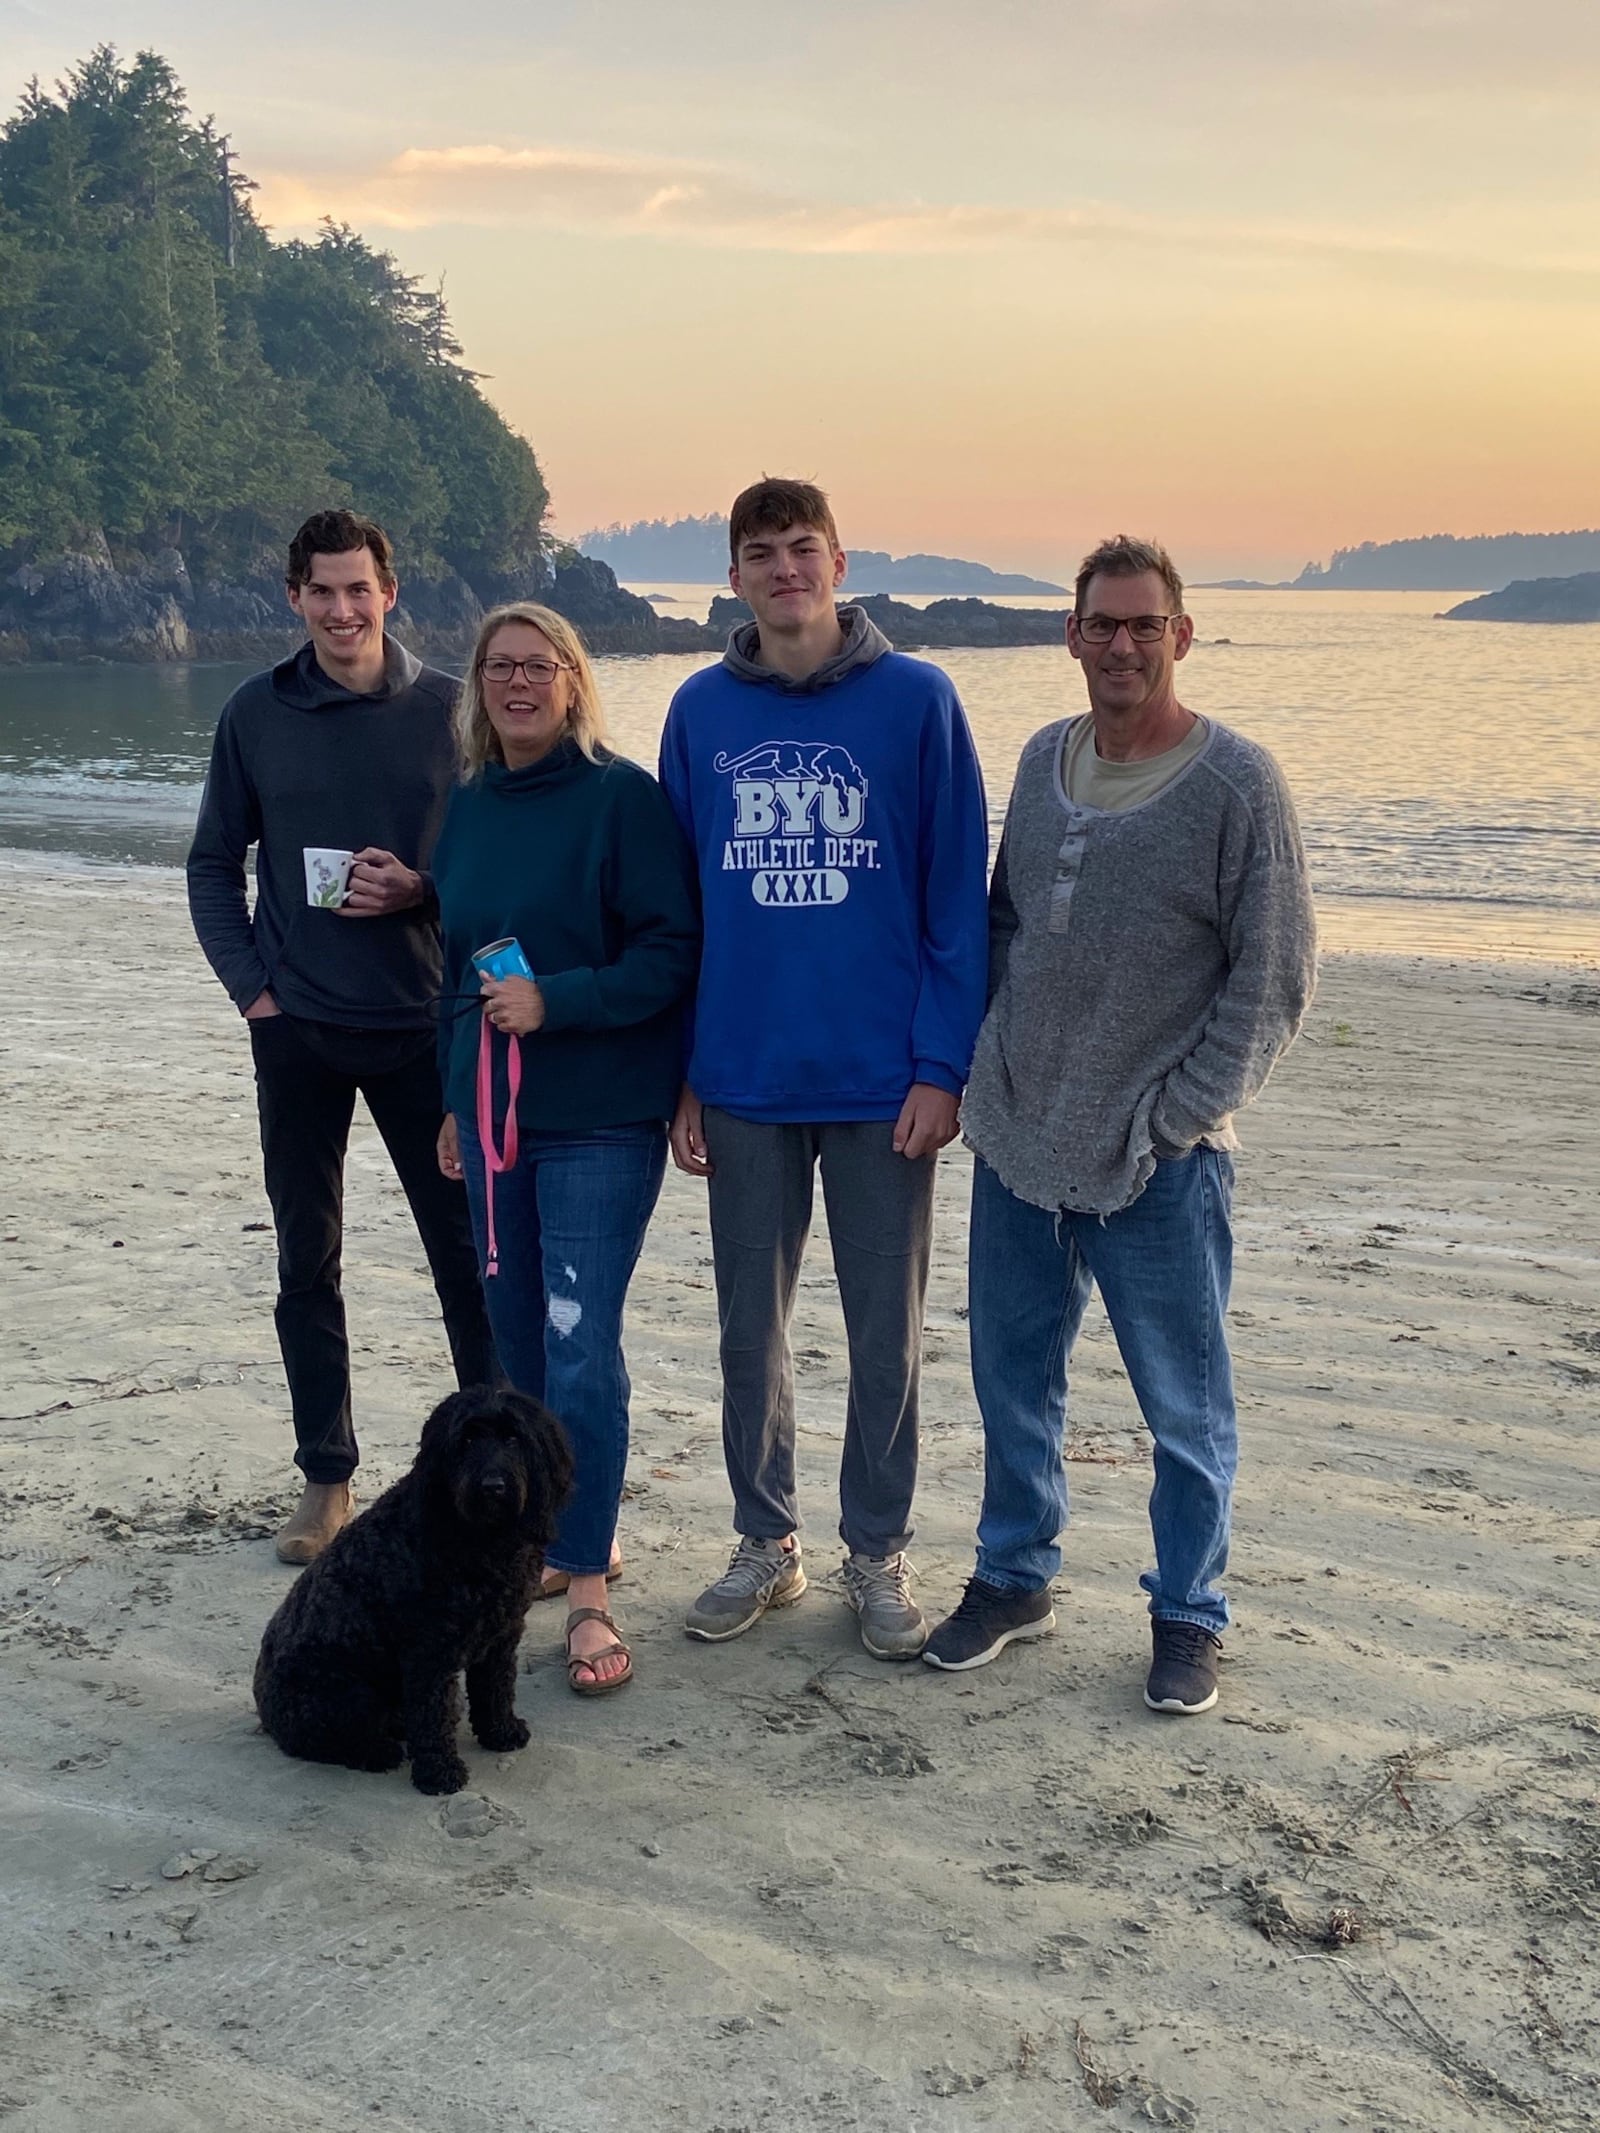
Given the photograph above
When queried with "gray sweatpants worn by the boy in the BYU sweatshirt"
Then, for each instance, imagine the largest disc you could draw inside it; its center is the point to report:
(880, 1219)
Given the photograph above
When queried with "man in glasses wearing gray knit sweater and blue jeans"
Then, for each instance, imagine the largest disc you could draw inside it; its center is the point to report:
(1153, 952)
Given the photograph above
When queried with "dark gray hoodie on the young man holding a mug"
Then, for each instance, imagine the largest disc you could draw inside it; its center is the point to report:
(302, 760)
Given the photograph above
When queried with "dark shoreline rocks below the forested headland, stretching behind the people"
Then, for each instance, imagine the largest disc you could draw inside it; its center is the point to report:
(84, 607)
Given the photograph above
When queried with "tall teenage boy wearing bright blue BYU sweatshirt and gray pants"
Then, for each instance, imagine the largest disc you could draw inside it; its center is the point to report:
(835, 805)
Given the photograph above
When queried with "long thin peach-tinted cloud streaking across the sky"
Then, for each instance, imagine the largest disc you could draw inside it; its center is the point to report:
(703, 204)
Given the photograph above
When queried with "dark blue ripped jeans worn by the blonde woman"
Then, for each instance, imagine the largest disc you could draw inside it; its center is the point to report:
(571, 1225)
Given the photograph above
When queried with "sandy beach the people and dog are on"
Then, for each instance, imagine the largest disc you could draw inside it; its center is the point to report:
(780, 1885)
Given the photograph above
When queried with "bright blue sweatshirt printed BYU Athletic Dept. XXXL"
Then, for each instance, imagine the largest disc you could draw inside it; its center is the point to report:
(842, 839)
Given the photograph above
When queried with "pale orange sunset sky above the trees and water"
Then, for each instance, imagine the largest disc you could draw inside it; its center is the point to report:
(1258, 276)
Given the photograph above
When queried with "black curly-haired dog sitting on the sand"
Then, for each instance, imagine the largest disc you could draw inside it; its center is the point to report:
(359, 1665)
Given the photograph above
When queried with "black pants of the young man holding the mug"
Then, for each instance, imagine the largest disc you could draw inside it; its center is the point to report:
(308, 1076)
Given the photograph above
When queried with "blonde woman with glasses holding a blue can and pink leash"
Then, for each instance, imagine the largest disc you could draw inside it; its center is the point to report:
(571, 944)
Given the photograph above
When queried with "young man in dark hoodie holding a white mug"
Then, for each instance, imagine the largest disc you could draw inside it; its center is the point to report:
(342, 748)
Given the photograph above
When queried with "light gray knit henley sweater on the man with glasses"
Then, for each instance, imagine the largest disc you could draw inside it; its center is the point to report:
(1147, 972)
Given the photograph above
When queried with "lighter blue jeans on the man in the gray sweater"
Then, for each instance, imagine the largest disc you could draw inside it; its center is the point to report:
(1164, 1270)
